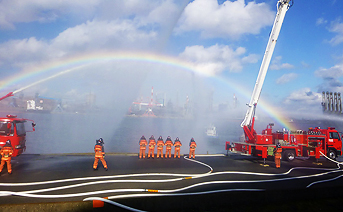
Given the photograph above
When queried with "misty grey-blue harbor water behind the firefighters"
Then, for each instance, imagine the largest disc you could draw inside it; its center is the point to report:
(76, 132)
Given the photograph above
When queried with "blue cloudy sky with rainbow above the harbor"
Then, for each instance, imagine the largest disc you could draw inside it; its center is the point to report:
(207, 50)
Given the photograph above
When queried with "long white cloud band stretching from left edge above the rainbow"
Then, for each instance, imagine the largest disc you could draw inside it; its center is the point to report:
(90, 36)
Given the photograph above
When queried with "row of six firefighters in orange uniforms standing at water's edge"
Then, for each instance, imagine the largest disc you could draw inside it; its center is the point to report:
(168, 144)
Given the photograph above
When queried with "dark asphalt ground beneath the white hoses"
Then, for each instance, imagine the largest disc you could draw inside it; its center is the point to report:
(236, 183)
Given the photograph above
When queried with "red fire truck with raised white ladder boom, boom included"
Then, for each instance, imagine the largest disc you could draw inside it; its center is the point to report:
(313, 142)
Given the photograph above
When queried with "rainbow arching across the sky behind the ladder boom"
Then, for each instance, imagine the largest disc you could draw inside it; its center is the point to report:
(76, 62)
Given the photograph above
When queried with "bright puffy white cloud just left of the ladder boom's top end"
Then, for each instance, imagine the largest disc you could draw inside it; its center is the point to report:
(230, 19)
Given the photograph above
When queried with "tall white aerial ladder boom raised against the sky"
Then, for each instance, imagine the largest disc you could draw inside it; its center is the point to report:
(248, 122)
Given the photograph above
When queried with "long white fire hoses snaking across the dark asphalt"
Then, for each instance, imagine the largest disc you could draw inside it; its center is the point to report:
(153, 192)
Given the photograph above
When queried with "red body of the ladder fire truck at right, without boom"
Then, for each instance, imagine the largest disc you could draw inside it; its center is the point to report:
(294, 144)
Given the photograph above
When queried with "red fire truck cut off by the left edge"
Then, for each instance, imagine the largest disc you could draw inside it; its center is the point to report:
(13, 128)
